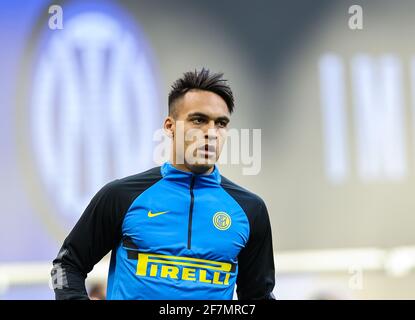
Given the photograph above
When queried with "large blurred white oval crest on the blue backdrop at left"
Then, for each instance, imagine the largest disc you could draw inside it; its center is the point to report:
(93, 110)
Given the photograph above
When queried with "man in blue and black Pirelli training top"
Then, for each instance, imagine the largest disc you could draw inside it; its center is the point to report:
(179, 231)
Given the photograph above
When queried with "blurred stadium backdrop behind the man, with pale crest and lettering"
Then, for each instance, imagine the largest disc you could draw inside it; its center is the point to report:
(330, 85)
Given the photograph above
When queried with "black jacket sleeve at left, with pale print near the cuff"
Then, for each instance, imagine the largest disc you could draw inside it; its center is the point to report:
(95, 234)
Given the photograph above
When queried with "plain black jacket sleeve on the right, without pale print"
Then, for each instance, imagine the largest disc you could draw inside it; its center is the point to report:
(256, 274)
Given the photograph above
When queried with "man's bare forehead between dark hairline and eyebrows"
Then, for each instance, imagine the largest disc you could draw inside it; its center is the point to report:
(205, 102)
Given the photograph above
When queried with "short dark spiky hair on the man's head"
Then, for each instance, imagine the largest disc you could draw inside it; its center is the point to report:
(201, 80)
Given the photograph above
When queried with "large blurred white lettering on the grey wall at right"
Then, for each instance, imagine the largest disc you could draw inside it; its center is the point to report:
(374, 117)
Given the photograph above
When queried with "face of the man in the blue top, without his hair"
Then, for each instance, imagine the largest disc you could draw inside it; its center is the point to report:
(199, 128)
